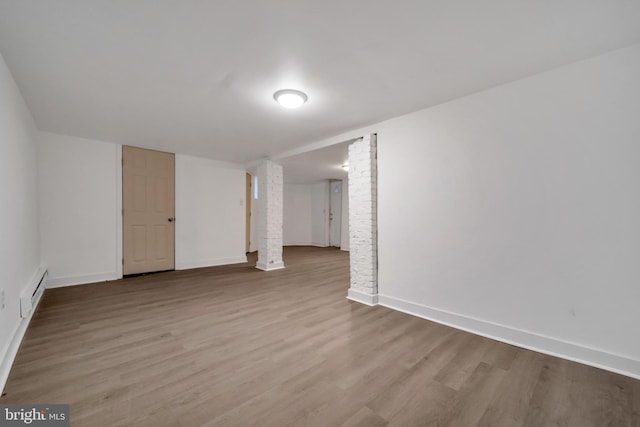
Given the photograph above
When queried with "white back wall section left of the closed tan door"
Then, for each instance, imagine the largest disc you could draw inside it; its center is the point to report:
(80, 207)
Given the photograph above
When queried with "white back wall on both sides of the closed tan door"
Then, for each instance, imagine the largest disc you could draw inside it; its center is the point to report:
(80, 217)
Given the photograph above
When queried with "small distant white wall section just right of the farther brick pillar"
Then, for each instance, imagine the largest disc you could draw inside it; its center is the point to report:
(297, 215)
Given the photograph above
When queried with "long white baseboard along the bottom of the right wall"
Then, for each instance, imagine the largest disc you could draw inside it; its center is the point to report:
(521, 338)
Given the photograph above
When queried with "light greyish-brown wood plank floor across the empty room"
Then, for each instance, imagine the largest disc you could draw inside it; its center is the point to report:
(235, 346)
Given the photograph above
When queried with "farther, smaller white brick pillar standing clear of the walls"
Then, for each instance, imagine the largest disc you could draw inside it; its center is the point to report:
(270, 214)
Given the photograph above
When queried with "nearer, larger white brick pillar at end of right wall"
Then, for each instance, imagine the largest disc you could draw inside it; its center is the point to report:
(363, 202)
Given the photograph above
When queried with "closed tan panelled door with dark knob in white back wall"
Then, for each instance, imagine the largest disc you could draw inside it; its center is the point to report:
(148, 202)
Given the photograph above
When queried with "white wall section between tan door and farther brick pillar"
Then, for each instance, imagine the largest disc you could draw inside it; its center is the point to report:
(210, 213)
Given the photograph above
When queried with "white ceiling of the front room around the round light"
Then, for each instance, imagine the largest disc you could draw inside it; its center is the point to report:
(197, 77)
